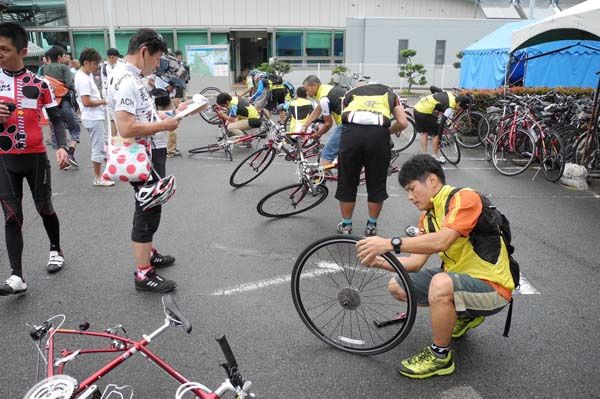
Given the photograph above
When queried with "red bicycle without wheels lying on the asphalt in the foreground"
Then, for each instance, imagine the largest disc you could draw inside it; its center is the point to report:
(57, 385)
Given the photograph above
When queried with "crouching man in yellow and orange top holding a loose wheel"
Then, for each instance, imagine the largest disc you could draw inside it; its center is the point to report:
(473, 282)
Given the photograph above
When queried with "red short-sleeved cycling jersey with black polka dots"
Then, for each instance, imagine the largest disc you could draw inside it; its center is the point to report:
(22, 133)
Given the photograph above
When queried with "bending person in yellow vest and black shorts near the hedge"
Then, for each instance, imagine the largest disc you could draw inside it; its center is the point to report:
(426, 121)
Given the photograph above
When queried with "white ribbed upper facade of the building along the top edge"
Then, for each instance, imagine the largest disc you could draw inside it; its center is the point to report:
(228, 14)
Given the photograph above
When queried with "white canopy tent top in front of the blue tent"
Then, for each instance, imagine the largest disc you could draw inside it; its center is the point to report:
(580, 22)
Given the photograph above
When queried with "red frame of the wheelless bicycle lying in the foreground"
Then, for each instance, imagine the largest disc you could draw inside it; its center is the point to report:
(127, 350)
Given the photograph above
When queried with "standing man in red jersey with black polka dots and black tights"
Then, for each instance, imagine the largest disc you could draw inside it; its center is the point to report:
(23, 156)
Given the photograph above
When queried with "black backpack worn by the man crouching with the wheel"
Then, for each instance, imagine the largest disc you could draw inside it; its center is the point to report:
(493, 223)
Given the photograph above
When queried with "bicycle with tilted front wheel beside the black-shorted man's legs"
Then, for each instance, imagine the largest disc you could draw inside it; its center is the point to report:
(310, 190)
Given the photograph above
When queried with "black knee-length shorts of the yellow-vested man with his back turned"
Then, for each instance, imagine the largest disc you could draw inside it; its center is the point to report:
(368, 147)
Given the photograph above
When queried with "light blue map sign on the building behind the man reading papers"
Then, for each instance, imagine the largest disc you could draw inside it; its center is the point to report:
(209, 60)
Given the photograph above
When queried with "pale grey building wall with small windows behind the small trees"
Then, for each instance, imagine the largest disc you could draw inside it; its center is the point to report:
(372, 45)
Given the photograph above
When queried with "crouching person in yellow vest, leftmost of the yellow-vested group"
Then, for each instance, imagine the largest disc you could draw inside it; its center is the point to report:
(242, 115)
